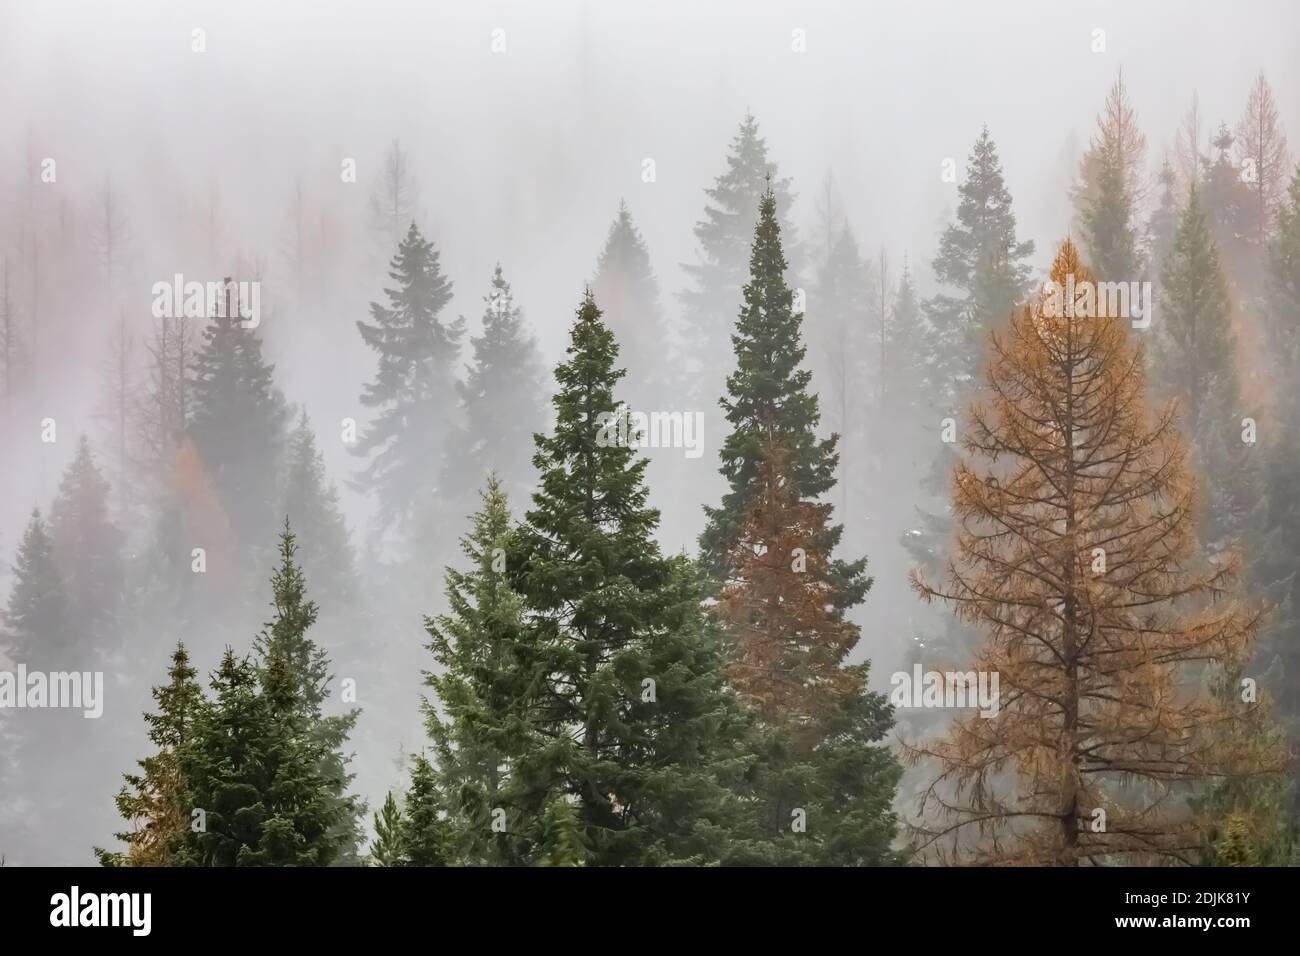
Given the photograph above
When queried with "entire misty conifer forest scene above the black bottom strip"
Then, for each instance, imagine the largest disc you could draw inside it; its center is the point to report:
(292, 295)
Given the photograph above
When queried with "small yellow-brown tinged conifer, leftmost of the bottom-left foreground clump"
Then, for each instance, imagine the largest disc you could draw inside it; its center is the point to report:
(155, 802)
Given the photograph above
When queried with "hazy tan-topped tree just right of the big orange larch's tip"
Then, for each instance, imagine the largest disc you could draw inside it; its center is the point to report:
(1111, 189)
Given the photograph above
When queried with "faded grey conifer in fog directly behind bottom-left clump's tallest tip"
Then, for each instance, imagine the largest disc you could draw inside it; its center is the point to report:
(311, 504)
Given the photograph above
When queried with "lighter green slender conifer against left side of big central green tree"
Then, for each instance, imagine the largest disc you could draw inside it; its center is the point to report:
(486, 685)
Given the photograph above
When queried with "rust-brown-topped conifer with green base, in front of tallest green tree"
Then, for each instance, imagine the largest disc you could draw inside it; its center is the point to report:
(818, 728)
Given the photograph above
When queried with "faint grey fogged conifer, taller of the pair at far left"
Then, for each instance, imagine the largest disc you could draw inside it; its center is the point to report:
(88, 548)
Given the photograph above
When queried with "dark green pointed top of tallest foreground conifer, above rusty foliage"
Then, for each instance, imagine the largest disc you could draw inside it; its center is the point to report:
(768, 396)
